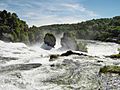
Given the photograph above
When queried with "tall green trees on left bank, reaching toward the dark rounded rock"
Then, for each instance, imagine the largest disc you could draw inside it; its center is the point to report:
(15, 30)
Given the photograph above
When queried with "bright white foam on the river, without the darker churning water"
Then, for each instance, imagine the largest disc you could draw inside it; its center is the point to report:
(34, 54)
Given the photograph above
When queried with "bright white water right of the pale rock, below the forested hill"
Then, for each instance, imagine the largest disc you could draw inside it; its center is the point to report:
(102, 48)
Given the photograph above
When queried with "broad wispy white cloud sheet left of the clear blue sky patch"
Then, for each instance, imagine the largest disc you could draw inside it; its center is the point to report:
(43, 13)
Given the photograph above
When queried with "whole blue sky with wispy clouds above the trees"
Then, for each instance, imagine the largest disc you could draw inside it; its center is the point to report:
(47, 12)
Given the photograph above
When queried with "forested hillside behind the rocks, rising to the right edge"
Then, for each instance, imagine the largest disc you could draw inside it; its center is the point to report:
(105, 29)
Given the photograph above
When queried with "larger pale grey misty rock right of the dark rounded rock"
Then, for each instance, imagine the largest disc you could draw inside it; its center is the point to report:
(68, 42)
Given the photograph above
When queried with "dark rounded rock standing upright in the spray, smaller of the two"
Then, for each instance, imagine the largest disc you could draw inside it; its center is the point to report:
(50, 40)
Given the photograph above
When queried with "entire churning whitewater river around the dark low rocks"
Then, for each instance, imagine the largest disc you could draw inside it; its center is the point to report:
(28, 68)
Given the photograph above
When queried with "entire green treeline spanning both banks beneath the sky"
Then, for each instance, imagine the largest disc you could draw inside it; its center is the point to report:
(16, 30)
